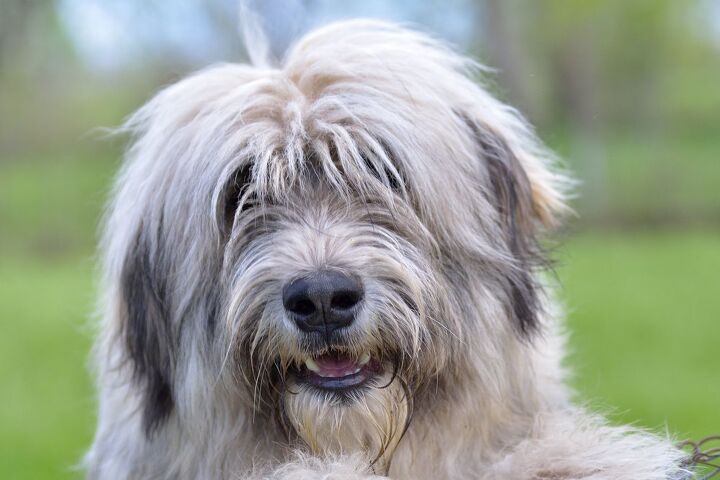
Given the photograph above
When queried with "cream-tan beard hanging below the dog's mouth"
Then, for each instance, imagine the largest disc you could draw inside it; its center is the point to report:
(371, 420)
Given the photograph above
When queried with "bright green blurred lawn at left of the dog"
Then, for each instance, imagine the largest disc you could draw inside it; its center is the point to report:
(48, 407)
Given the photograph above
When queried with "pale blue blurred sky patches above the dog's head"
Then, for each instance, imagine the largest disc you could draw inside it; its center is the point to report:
(112, 34)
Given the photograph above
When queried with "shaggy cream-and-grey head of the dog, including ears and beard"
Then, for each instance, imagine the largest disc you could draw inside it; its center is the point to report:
(329, 243)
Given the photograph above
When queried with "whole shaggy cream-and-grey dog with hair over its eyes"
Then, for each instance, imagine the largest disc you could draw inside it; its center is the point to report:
(332, 270)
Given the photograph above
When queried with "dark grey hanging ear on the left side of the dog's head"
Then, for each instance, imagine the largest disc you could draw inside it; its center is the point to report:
(146, 328)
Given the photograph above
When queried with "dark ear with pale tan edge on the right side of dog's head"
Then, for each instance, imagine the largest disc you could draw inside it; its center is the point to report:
(527, 201)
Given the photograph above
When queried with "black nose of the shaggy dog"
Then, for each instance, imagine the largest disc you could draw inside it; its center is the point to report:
(323, 301)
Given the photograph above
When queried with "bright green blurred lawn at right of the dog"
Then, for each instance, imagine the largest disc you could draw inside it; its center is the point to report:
(644, 313)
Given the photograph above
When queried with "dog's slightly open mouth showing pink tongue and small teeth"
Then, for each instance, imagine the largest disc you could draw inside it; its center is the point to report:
(338, 372)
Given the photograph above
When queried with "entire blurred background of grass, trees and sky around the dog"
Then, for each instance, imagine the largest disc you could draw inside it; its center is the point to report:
(628, 92)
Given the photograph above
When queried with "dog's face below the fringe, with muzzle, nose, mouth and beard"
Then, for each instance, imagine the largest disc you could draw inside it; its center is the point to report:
(336, 301)
